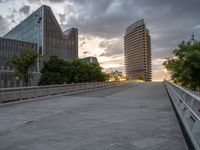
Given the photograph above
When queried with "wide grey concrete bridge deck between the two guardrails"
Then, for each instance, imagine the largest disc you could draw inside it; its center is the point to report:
(131, 117)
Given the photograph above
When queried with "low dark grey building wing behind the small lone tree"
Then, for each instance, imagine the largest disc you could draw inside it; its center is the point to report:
(8, 49)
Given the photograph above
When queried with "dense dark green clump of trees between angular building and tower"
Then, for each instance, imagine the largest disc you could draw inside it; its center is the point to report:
(58, 71)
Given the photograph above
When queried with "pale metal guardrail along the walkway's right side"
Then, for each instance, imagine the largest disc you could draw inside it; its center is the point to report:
(187, 105)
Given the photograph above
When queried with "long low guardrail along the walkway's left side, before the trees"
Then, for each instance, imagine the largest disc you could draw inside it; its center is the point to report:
(36, 92)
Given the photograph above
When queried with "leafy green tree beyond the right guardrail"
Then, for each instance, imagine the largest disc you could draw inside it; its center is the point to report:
(185, 65)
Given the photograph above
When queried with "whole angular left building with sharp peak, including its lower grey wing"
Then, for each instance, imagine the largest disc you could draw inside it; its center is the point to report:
(40, 32)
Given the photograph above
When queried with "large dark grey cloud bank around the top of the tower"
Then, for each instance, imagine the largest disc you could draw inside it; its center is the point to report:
(169, 22)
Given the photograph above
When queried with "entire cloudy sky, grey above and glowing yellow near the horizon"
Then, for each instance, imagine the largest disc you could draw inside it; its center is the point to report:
(102, 25)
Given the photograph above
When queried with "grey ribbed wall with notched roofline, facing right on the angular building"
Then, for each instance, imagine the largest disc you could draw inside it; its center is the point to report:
(64, 45)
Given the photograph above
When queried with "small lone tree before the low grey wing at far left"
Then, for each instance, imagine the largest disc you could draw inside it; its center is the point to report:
(23, 64)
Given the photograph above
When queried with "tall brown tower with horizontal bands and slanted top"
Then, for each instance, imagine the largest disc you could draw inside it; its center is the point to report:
(137, 45)
